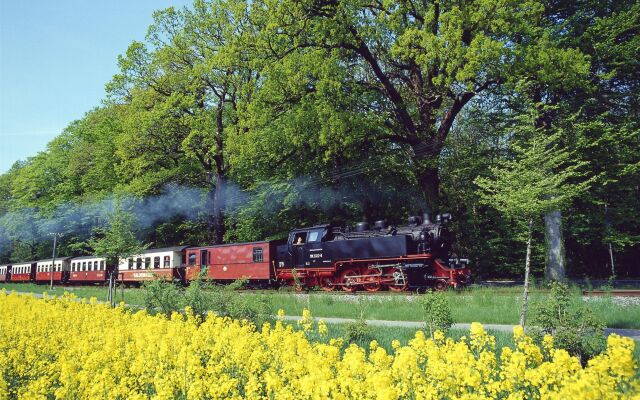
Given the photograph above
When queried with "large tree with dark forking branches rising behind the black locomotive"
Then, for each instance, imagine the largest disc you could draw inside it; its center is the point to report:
(421, 62)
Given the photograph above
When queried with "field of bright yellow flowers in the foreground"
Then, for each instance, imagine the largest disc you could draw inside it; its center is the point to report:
(65, 349)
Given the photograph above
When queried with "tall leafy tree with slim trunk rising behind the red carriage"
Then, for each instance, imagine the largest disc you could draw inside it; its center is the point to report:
(187, 82)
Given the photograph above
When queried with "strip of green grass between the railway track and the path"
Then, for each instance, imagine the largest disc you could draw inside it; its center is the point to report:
(486, 305)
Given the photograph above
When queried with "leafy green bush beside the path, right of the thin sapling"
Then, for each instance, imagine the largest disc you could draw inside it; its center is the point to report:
(574, 327)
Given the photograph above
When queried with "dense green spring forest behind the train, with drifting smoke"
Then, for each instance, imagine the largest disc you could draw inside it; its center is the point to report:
(239, 120)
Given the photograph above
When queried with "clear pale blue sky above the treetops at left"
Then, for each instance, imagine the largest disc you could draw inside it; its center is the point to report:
(55, 58)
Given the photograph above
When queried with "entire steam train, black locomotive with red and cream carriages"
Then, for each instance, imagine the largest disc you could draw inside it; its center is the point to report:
(413, 256)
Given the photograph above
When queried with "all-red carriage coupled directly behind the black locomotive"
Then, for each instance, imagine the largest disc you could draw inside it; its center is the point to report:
(228, 262)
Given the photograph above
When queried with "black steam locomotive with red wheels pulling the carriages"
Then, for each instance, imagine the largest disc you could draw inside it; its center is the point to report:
(412, 256)
